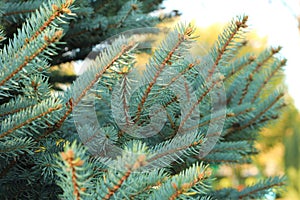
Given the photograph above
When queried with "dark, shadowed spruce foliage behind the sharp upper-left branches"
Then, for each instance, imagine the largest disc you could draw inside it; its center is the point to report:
(105, 18)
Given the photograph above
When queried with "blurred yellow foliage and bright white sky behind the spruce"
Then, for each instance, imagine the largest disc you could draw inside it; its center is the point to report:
(271, 23)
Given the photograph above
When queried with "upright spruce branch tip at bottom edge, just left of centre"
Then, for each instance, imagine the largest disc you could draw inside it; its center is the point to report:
(126, 177)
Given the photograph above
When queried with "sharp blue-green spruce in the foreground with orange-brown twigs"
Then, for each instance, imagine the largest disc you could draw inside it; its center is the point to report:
(204, 111)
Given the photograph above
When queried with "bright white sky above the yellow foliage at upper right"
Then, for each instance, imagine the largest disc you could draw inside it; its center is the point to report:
(272, 18)
